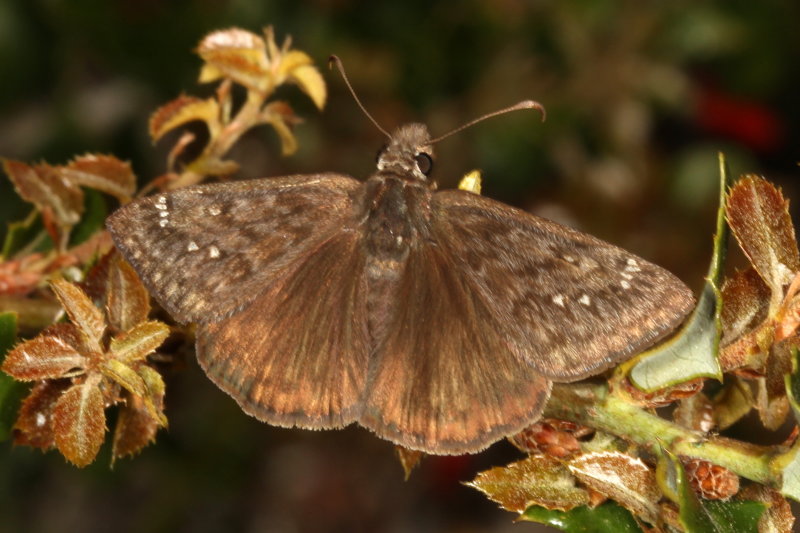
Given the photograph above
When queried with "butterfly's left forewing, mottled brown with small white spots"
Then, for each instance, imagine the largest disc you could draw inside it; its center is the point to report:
(205, 252)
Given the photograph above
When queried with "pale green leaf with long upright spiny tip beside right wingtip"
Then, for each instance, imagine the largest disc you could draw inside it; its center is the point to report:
(692, 353)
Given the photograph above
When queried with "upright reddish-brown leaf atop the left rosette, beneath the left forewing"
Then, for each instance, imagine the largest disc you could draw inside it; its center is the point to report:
(127, 299)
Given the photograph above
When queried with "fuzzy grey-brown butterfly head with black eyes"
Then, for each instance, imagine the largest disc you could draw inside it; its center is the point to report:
(408, 152)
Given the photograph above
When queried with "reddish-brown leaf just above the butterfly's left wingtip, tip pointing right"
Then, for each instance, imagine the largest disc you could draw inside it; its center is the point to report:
(102, 172)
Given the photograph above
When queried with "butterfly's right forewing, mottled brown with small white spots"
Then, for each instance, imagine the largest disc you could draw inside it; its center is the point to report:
(572, 304)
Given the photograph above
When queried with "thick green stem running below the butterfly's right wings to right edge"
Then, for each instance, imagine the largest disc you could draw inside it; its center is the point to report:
(592, 405)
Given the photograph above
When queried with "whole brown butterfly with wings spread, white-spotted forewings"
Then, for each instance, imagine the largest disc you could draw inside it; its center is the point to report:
(436, 319)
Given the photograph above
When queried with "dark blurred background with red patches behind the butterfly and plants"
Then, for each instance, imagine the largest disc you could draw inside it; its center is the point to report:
(640, 97)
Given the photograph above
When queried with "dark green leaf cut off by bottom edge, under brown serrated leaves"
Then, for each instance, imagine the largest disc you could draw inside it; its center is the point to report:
(606, 518)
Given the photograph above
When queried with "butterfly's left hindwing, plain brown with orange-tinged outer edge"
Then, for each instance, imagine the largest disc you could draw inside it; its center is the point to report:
(297, 355)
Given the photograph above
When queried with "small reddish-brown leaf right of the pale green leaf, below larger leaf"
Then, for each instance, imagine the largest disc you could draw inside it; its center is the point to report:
(745, 302)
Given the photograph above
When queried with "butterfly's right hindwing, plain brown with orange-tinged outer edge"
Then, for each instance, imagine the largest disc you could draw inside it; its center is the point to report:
(444, 380)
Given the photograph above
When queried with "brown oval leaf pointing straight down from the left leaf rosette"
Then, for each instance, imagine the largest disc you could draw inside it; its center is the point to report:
(79, 422)
